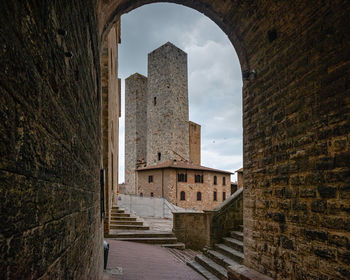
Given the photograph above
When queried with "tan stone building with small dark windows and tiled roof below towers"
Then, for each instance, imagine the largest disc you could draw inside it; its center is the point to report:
(184, 184)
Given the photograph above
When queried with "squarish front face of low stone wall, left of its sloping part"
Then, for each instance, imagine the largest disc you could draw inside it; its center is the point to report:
(192, 229)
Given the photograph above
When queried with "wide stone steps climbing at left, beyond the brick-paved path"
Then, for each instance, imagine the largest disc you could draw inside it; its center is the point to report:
(124, 227)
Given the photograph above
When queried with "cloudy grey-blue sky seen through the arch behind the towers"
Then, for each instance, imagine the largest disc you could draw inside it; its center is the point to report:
(215, 84)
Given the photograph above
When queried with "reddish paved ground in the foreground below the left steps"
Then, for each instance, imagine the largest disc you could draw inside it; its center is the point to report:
(137, 261)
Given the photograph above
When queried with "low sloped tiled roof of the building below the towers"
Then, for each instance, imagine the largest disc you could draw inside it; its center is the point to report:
(181, 165)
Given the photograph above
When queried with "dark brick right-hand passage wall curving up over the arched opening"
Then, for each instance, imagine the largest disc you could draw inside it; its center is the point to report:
(291, 124)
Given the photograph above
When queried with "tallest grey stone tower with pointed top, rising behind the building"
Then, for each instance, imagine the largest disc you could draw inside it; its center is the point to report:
(167, 105)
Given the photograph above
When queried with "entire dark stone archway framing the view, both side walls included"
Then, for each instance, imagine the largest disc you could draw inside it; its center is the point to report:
(296, 134)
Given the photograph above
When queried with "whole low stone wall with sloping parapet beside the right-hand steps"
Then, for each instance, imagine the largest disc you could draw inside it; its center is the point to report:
(200, 229)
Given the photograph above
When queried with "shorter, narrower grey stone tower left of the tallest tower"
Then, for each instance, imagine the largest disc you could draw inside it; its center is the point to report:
(135, 127)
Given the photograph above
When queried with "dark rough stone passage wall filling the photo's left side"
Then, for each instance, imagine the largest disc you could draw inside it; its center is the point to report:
(50, 141)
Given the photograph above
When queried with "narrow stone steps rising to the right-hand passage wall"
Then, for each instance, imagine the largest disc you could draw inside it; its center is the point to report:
(213, 263)
